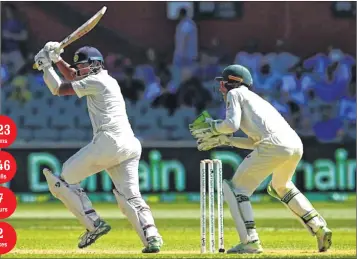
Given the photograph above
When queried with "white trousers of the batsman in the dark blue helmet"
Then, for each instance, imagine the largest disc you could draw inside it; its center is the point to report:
(119, 157)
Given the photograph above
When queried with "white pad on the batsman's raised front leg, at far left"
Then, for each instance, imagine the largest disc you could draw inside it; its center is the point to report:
(74, 198)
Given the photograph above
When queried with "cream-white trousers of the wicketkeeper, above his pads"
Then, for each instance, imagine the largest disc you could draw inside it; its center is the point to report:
(268, 159)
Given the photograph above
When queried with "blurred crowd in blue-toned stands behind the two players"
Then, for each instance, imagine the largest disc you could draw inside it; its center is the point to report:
(316, 94)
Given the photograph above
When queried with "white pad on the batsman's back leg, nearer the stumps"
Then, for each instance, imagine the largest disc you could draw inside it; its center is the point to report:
(139, 215)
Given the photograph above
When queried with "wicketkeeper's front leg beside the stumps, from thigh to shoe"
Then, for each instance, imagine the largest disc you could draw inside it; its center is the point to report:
(249, 175)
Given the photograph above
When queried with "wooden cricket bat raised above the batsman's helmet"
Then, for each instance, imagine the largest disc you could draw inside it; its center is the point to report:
(81, 31)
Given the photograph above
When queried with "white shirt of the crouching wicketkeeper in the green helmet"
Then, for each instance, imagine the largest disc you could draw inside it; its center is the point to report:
(257, 118)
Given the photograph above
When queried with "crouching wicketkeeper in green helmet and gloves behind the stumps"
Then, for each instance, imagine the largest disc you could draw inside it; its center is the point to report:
(277, 150)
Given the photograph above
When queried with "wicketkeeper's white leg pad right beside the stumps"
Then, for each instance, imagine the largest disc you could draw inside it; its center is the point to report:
(242, 213)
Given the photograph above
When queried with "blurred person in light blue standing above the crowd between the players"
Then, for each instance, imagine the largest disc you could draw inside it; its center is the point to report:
(186, 42)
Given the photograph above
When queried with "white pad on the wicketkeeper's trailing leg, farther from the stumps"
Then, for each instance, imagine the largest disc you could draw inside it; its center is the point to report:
(301, 207)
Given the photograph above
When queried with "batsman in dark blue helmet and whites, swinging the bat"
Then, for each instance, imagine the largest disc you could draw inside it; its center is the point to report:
(114, 147)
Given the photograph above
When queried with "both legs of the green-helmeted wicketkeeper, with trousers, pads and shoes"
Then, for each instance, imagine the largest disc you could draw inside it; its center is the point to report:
(263, 161)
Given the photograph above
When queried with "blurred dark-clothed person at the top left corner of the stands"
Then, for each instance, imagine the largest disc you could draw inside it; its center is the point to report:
(13, 39)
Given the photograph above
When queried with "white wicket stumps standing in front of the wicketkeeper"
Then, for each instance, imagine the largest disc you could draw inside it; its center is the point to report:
(214, 168)
